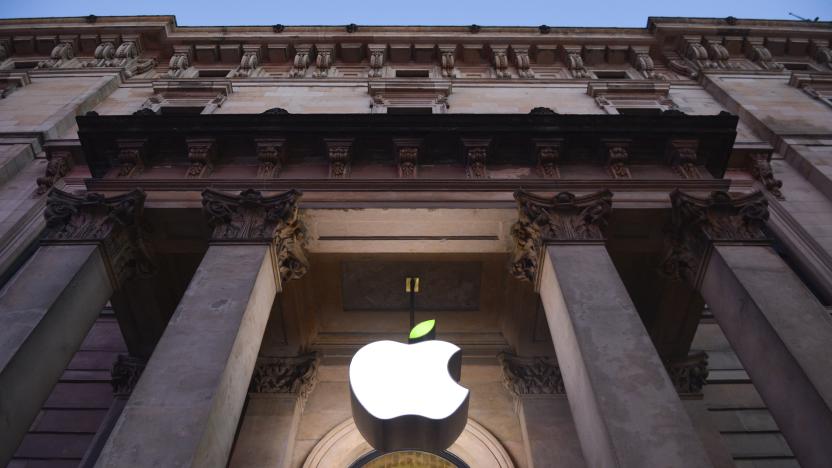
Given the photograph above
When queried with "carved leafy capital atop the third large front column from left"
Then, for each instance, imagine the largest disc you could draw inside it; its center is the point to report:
(561, 219)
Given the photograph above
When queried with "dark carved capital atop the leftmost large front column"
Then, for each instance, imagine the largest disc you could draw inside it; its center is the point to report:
(112, 222)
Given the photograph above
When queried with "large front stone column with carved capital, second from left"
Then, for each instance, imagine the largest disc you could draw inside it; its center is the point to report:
(185, 408)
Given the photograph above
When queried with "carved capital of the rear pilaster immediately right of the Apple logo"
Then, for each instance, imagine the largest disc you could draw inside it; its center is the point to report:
(531, 375)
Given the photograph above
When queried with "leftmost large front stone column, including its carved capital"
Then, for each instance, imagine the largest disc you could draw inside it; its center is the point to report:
(91, 245)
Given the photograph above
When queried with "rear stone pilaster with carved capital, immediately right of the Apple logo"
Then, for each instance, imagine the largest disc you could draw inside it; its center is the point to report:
(548, 431)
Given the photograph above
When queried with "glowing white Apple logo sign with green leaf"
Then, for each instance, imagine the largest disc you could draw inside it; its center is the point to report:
(407, 396)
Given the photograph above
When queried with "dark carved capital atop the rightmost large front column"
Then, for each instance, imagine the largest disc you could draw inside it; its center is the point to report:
(697, 223)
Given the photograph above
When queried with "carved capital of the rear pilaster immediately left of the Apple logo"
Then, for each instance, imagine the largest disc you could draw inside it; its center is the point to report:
(293, 375)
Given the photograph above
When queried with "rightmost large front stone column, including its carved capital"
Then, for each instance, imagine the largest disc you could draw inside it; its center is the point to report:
(779, 331)
